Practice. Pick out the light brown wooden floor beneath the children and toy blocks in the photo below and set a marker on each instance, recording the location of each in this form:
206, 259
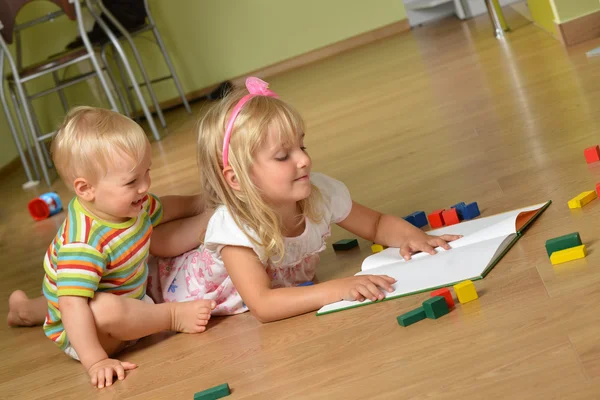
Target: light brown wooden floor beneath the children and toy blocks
443, 114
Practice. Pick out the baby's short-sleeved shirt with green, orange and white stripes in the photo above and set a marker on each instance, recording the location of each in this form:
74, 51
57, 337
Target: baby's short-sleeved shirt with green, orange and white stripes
89, 255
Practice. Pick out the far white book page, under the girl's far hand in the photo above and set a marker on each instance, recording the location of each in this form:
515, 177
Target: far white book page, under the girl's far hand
473, 231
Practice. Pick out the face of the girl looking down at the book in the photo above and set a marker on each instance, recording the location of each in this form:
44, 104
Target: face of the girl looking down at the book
282, 172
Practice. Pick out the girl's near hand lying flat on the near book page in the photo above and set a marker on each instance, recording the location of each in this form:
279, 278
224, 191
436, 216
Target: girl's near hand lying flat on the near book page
363, 287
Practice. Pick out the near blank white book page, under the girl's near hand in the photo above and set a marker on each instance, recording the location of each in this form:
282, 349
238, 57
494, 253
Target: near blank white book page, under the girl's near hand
445, 268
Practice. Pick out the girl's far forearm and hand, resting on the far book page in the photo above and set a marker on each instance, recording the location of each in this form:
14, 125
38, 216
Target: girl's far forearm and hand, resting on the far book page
392, 231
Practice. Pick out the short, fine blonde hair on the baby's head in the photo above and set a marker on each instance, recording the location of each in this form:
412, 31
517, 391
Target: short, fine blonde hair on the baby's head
89, 139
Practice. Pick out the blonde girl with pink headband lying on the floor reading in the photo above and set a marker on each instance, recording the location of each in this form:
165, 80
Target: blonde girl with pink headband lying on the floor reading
272, 217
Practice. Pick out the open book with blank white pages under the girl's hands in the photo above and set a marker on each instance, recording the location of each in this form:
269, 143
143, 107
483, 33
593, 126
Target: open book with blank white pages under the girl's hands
485, 241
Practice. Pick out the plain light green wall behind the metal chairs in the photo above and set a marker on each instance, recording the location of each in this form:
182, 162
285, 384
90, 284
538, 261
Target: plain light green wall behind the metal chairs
212, 41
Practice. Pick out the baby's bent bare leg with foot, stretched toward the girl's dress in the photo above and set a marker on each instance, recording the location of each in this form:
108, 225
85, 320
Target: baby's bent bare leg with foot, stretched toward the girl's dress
124, 319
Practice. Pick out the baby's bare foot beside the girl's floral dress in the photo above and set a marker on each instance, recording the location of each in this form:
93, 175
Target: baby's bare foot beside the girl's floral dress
191, 316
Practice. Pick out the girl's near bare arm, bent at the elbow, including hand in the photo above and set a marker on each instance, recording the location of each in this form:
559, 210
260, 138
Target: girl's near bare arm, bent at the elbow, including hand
266, 304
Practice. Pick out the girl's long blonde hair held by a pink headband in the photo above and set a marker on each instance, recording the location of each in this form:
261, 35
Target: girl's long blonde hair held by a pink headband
247, 207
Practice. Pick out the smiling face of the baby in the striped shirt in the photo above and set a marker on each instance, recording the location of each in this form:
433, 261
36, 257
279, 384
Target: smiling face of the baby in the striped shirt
118, 196
